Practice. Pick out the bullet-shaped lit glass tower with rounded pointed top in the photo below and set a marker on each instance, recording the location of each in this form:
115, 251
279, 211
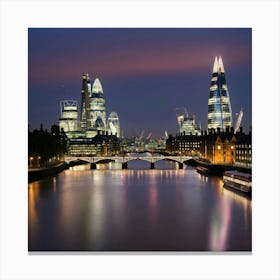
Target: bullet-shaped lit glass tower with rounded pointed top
97, 107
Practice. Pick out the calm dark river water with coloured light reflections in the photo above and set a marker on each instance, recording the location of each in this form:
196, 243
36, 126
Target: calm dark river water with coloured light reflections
138, 209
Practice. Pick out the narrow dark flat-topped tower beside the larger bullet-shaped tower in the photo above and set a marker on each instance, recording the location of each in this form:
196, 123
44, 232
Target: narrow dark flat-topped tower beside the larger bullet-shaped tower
85, 102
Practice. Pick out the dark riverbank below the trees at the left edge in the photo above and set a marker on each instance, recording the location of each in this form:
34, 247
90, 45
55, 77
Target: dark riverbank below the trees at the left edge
36, 174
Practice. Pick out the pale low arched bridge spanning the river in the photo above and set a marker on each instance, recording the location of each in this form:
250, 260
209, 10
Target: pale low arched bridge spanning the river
125, 159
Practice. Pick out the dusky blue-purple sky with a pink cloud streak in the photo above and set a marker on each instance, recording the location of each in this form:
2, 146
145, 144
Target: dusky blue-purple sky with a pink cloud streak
146, 73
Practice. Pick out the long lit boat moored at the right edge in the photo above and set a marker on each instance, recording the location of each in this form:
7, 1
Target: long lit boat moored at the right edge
238, 180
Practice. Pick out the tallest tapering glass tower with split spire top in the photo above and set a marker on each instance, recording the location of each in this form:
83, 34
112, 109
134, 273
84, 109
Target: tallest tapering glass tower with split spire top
219, 108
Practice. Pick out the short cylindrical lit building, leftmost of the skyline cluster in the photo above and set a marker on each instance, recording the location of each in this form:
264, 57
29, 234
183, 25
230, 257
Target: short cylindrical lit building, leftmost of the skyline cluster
69, 116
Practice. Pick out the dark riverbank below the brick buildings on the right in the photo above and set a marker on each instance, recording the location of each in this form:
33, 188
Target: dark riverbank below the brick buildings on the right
218, 169
